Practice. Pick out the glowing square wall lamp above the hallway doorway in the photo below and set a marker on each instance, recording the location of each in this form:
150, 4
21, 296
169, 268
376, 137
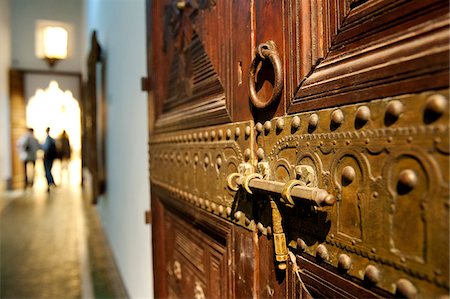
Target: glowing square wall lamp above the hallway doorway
52, 42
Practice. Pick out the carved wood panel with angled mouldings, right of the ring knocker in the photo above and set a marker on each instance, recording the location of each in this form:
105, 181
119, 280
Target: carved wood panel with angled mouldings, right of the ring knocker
350, 51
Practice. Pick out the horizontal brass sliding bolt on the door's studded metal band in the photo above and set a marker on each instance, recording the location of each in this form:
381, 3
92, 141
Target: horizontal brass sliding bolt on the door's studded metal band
288, 192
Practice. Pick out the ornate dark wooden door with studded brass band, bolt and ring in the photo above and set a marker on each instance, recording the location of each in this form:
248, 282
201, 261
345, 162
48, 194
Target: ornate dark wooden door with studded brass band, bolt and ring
299, 148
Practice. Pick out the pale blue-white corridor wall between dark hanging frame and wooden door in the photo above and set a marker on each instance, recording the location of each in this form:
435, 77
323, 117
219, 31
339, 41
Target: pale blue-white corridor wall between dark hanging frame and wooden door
120, 26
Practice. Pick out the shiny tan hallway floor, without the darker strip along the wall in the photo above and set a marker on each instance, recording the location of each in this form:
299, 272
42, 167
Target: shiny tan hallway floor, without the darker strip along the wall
42, 242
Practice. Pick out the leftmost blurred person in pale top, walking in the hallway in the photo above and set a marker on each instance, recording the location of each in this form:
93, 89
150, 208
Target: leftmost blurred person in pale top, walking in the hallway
28, 146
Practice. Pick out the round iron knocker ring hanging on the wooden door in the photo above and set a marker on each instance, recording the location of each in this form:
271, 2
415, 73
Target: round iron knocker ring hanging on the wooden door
262, 52
